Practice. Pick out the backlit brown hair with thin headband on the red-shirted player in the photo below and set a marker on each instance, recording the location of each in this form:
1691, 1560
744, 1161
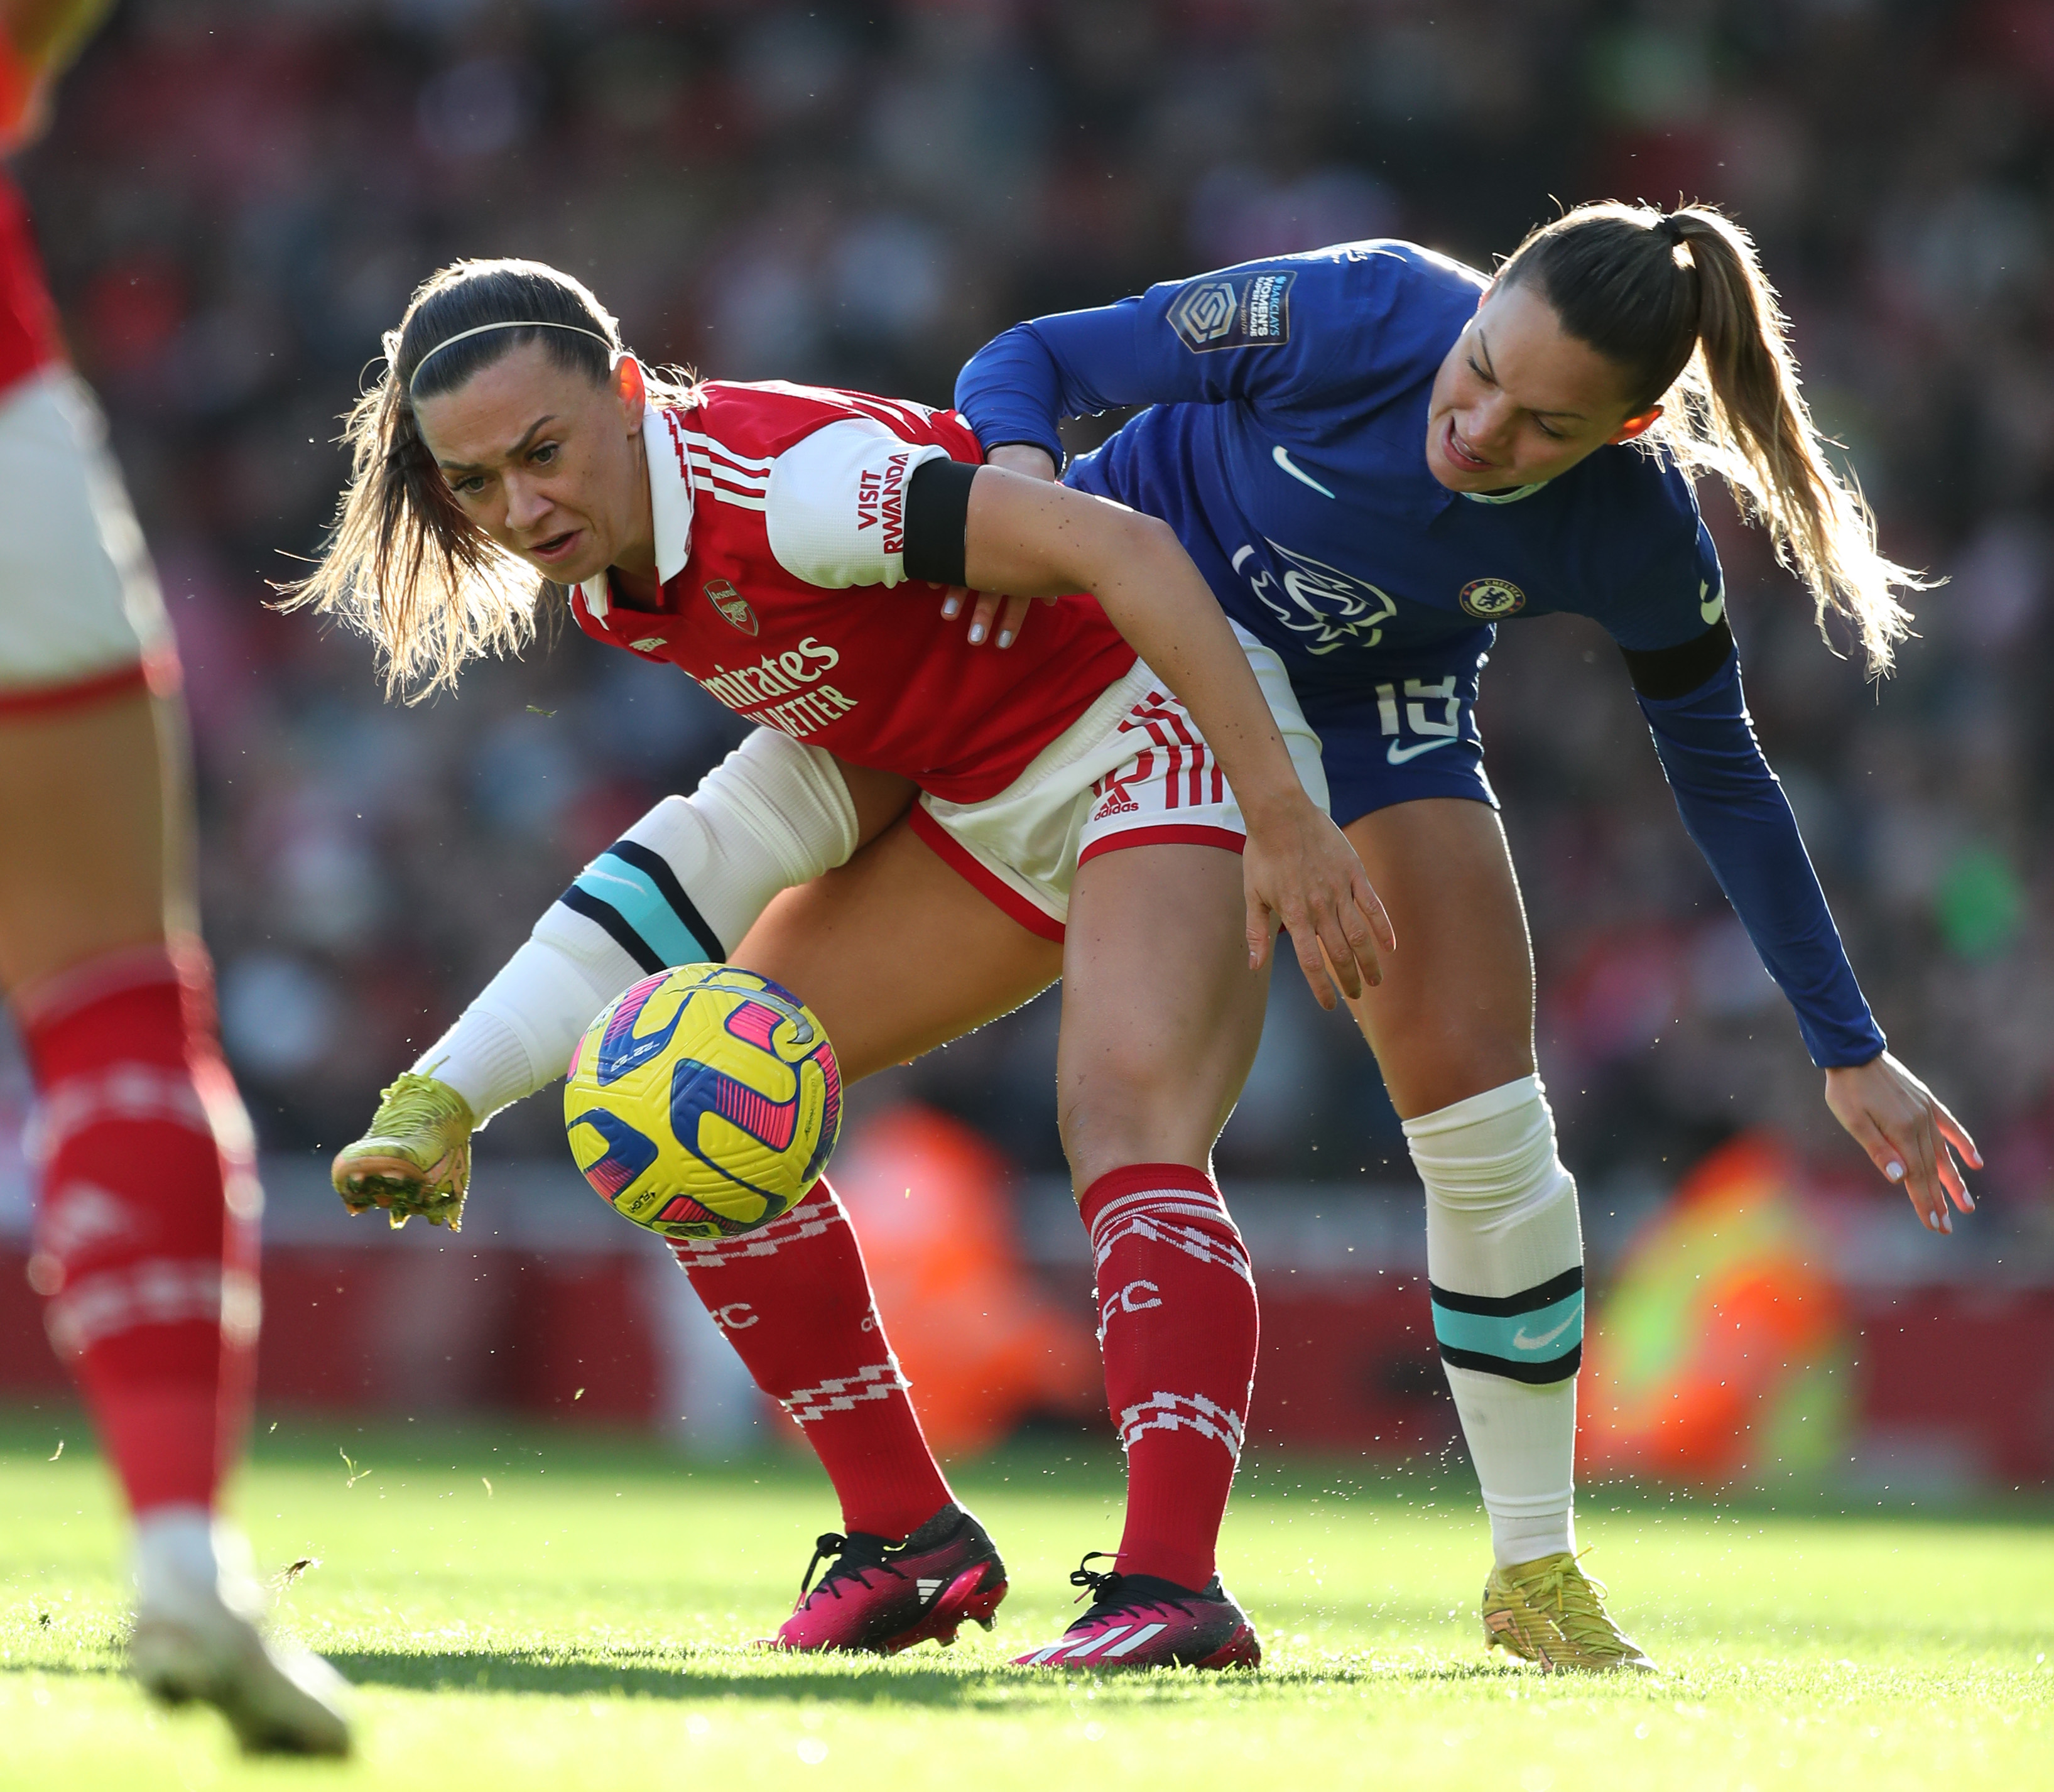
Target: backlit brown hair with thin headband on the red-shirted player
402, 562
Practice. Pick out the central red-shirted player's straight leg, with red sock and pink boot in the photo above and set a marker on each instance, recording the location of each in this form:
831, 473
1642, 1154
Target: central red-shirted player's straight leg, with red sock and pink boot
1159, 1026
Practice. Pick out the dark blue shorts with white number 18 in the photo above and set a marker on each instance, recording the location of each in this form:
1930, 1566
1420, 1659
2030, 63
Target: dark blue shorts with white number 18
1404, 731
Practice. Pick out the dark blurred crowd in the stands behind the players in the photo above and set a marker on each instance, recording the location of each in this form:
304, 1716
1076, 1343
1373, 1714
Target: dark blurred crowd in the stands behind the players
237, 198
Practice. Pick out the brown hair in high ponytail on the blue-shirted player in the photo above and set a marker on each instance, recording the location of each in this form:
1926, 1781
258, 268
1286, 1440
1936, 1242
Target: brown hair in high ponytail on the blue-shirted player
1683, 307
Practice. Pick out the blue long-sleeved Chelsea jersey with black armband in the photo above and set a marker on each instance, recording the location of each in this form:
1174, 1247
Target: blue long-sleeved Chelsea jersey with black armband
1285, 441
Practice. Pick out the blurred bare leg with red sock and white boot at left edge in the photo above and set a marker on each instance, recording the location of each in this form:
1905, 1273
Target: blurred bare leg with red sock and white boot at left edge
149, 1179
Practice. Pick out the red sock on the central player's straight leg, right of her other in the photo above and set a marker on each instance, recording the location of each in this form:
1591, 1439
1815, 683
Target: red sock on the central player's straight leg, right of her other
1178, 1333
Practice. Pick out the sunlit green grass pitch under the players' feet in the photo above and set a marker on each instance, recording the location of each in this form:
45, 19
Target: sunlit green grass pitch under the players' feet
584, 1620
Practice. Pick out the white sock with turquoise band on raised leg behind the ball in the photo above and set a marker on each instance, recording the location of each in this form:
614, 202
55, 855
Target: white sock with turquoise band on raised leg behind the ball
683, 885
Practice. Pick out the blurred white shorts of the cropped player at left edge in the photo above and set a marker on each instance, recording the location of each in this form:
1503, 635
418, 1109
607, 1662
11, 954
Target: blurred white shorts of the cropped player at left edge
81, 613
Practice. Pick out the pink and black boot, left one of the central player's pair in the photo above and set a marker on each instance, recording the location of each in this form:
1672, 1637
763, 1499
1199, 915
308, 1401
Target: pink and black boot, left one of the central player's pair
882, 1598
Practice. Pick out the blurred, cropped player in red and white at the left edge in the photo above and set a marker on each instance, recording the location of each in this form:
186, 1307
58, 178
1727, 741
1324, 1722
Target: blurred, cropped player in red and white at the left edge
147, 1218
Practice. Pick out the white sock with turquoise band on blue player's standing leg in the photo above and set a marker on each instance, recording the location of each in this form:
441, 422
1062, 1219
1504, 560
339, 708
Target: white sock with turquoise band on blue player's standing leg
1507, 1267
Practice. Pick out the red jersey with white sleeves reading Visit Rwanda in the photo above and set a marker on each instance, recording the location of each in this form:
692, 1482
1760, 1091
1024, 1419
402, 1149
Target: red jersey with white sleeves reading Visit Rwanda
773, 507
